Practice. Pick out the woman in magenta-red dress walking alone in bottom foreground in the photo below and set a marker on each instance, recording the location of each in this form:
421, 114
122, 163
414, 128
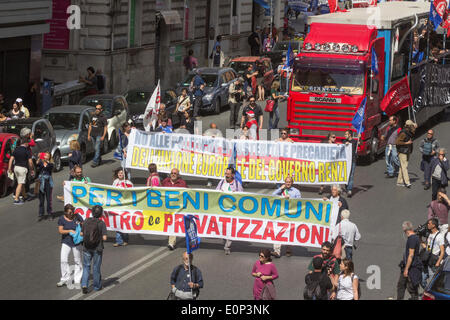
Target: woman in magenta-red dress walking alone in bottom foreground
264, 272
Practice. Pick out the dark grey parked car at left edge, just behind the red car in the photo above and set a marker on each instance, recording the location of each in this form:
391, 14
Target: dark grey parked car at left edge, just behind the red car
43, 135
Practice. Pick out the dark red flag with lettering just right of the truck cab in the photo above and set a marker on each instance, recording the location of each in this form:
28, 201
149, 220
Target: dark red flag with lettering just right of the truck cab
397, 98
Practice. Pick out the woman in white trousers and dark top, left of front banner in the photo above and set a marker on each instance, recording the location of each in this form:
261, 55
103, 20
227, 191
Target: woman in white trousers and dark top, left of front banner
67, 225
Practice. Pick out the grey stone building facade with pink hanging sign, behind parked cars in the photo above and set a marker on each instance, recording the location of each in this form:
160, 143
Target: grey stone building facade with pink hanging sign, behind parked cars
137, 42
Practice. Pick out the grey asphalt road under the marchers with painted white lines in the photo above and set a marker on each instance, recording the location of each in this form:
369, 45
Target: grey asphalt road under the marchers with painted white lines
30, 250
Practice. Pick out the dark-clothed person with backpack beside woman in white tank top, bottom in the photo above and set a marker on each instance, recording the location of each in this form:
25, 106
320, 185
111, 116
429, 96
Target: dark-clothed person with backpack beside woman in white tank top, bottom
317, 282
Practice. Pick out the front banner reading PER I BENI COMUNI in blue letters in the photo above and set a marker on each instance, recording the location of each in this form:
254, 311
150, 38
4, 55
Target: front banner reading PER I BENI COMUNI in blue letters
235, 216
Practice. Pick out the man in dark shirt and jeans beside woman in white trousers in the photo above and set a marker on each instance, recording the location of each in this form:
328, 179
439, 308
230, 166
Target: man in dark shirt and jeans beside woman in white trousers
94, 233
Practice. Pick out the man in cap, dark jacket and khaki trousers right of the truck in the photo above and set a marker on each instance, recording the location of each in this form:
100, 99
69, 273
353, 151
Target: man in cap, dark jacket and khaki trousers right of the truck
404, 148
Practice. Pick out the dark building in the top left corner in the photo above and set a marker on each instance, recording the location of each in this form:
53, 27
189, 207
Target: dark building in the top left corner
22, 25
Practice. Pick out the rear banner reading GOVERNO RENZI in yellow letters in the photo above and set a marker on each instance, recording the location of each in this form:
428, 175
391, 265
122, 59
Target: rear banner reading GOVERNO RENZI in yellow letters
256, 161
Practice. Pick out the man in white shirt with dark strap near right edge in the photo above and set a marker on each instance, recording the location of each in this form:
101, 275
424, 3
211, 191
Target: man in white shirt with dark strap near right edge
435, 244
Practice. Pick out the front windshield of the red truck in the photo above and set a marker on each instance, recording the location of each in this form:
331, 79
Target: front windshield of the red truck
326, 80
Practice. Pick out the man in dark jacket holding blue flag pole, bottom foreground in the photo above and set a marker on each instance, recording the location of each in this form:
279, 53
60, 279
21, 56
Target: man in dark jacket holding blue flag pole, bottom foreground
186, 280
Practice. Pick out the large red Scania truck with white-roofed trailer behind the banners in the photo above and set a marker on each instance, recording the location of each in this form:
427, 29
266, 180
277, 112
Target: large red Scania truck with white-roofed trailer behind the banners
332, 74
